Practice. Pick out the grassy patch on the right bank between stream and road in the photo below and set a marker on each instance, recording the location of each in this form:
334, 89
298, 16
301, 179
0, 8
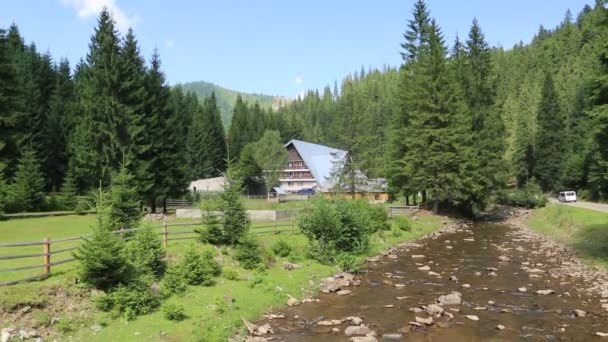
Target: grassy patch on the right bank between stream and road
584, 230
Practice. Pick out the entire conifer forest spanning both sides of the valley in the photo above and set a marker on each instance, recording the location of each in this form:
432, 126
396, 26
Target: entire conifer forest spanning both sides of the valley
458, 121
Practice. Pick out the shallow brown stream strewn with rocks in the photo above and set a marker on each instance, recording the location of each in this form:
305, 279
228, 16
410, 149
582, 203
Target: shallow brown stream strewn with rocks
512, 285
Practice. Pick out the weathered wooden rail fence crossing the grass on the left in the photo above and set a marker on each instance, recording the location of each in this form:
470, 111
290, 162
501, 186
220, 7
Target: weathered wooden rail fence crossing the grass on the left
167, 232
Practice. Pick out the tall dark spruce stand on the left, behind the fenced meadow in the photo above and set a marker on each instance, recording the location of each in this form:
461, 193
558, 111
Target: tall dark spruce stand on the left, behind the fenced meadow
66, 132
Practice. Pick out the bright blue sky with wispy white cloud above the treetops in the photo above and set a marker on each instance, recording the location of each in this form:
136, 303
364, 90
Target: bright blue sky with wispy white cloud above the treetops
277, 47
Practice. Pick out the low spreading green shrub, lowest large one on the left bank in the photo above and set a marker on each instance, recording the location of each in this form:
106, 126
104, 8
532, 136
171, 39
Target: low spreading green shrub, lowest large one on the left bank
134, 299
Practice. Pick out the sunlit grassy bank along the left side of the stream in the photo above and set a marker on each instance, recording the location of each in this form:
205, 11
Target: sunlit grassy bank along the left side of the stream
213, 313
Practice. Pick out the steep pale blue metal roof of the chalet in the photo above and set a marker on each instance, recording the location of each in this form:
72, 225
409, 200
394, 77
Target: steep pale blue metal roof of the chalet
320, 160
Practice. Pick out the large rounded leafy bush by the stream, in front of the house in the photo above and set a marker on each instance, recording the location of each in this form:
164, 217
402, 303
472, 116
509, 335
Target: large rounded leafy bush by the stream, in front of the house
338, 225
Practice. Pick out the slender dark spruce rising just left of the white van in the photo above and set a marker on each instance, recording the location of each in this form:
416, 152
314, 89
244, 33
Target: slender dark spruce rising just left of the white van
548, 149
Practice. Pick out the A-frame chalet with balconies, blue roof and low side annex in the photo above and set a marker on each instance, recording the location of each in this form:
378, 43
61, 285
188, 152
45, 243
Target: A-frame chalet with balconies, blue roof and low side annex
312, 168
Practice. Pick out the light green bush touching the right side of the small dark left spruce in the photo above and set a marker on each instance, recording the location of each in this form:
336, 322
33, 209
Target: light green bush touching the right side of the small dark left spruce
146, 253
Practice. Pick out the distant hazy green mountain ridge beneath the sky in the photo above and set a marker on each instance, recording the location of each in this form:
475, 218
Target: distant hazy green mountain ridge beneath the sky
227, 97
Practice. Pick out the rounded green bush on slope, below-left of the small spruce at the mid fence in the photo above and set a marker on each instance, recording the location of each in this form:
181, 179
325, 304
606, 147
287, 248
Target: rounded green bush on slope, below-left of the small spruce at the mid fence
199, 267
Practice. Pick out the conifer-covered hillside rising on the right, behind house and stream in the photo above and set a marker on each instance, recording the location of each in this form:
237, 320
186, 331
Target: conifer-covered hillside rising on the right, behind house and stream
463, 120
